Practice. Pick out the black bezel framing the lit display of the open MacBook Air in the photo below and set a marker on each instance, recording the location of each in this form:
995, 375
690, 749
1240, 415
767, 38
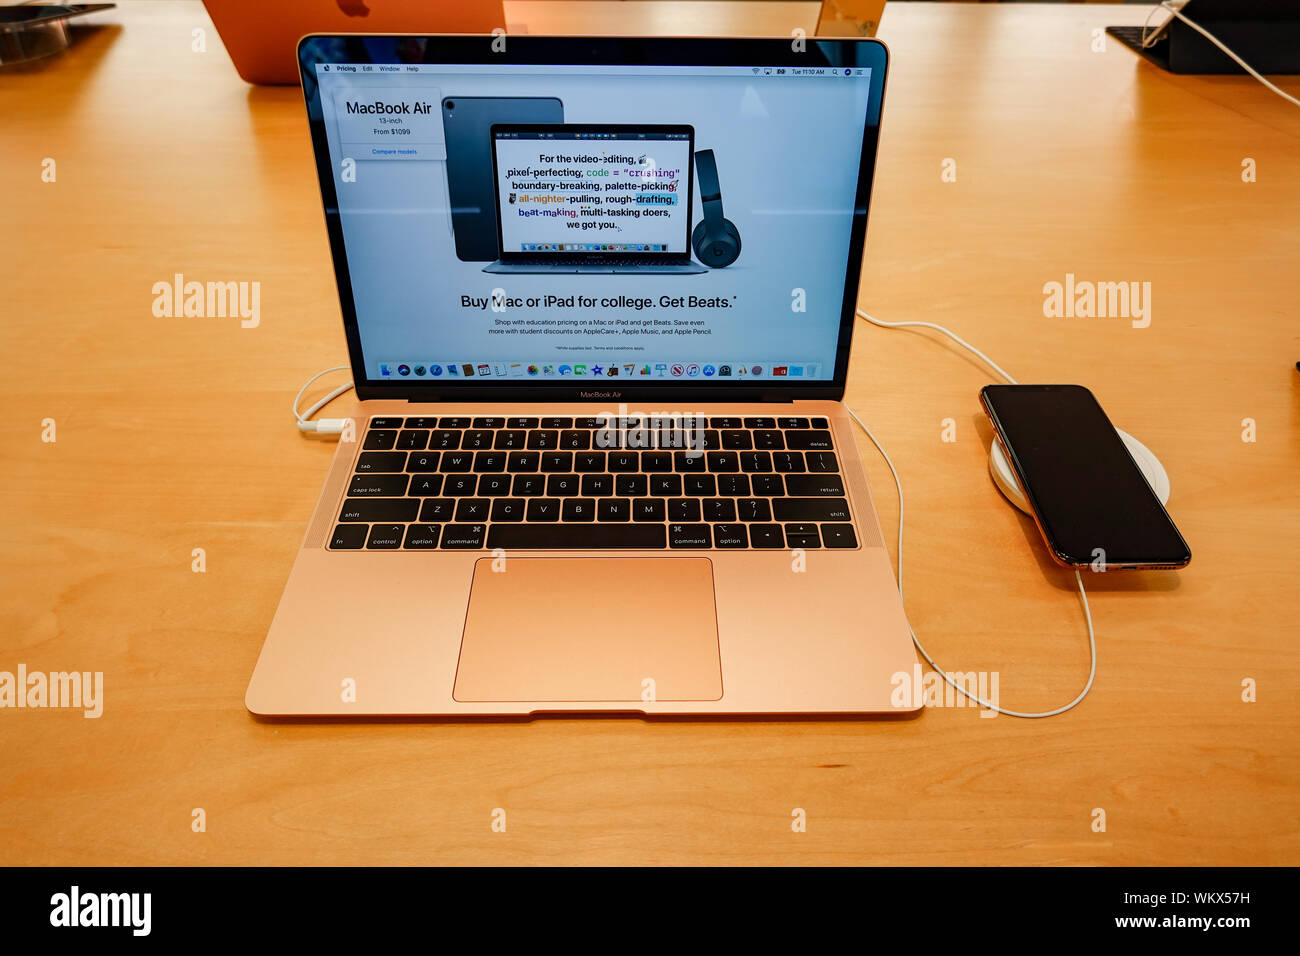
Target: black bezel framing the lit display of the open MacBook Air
629, 51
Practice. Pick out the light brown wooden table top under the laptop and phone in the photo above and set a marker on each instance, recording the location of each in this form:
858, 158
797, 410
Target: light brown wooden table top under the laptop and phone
175, 435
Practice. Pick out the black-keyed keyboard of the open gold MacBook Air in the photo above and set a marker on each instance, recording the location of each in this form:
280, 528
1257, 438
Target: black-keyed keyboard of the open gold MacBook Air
460, 483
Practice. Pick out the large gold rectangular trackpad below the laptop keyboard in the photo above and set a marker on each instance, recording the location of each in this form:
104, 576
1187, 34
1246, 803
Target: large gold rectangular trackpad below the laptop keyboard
591, 630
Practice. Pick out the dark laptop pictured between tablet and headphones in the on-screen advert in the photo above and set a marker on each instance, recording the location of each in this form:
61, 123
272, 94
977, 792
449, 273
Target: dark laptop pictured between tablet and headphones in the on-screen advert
593, 200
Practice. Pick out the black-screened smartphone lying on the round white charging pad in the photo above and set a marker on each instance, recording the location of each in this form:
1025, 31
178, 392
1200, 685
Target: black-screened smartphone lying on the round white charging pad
1091, 501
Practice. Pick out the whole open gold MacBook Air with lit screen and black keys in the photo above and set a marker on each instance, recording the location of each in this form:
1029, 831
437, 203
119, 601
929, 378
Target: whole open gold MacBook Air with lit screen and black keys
603, 488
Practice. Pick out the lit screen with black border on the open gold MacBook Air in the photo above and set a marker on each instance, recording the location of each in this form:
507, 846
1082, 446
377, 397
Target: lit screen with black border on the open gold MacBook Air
593, 226
